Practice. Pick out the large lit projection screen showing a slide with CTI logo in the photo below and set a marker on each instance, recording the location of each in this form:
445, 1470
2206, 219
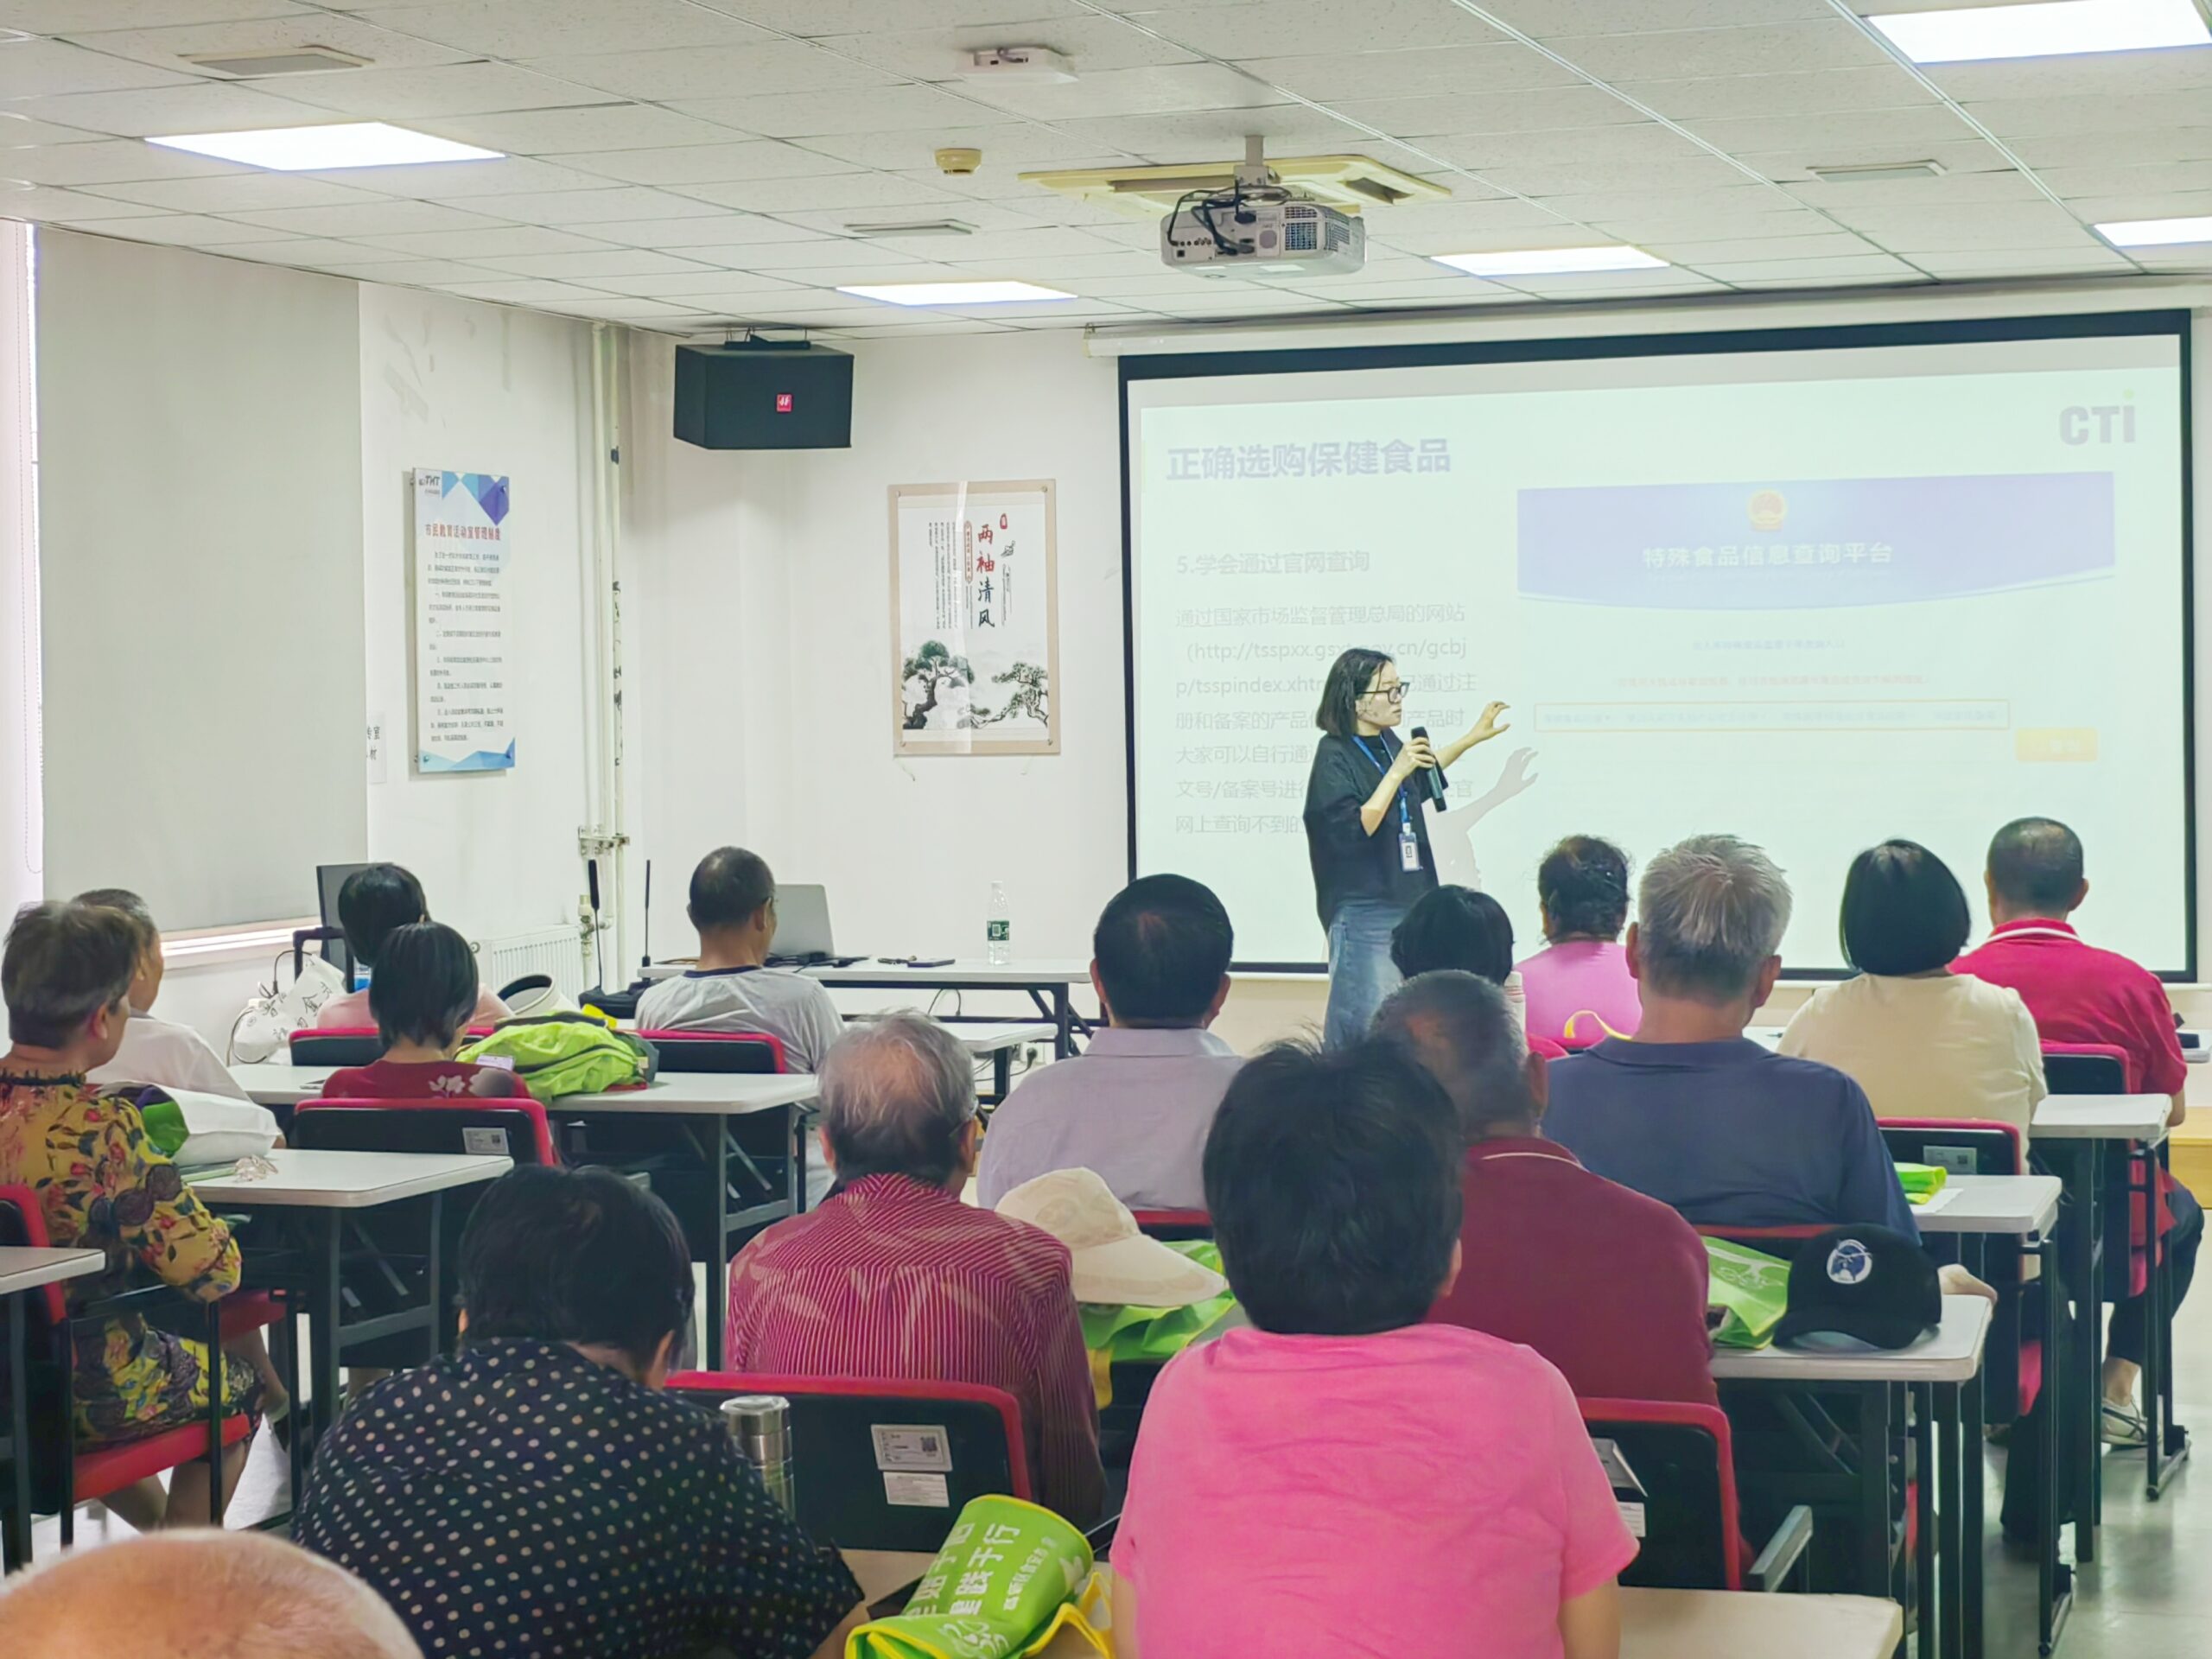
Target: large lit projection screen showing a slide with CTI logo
1811, 587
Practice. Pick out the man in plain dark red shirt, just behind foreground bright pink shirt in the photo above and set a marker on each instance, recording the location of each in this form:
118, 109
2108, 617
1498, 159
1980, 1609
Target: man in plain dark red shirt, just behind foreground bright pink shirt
1603, 1282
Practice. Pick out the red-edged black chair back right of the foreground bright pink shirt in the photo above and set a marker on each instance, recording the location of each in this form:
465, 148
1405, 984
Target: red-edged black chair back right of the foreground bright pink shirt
1687, 1461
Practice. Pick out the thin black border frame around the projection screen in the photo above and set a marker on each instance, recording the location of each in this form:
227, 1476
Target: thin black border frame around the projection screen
1193, 366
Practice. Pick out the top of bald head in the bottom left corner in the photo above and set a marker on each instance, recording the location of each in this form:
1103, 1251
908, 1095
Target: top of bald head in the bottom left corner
200, 1596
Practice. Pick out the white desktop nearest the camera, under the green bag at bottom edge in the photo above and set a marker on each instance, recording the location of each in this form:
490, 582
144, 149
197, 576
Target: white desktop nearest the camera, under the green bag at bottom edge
1656, 1625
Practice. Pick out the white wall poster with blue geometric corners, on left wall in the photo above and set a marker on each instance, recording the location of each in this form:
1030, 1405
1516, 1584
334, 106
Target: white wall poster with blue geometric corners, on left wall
461, 572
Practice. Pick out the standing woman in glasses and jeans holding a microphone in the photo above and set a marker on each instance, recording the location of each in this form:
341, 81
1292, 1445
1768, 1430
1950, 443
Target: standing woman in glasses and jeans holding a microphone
1366, 833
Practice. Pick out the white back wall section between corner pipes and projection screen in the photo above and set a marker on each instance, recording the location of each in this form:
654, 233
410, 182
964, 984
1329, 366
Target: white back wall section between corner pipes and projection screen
766, 718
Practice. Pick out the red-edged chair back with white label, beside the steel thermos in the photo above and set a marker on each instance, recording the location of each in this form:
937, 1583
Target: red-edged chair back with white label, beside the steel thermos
946, 1443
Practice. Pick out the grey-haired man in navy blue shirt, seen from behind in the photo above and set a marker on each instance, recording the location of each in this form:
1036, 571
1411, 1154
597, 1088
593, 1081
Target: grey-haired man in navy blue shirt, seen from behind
1695, 1114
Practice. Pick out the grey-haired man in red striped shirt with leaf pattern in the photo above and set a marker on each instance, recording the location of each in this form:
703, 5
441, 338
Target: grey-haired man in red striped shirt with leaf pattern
895, 1277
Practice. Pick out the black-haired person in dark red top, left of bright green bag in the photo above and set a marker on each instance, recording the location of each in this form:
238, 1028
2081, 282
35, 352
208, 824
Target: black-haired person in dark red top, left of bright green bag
424, 997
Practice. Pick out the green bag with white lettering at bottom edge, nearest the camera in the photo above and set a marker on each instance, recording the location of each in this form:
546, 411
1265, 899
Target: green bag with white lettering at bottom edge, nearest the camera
1010, 1578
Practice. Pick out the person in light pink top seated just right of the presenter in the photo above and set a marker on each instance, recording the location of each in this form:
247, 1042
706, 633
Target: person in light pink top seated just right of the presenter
1583, 890
